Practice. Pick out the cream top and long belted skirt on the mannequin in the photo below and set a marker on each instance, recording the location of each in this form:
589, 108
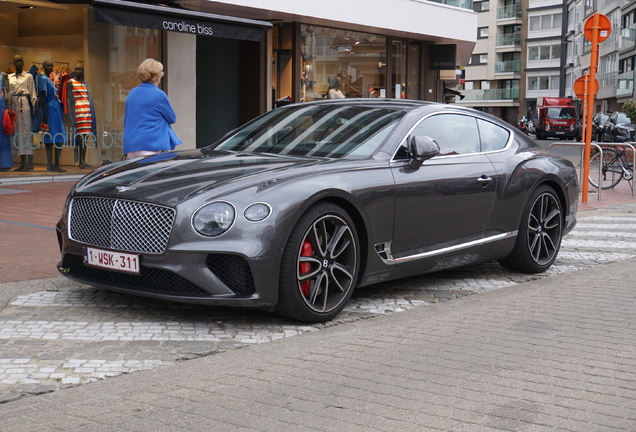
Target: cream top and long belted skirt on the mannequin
23, 100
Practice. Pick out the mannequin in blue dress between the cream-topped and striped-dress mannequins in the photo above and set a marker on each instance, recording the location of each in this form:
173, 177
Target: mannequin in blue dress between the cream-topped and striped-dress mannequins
53, 126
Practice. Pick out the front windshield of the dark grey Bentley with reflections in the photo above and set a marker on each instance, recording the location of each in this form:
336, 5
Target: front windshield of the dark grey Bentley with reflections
331, 131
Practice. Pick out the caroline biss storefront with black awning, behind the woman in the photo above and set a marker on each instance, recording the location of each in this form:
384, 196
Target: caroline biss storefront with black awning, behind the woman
110, 39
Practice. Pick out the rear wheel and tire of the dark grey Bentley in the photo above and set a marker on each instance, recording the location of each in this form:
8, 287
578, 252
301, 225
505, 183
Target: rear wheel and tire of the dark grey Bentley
539, 237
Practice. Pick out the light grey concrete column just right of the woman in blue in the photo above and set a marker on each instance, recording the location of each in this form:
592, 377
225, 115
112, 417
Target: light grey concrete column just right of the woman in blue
180, 71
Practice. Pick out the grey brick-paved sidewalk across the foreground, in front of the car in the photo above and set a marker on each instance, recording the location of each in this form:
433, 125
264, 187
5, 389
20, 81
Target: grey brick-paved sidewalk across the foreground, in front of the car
556, 354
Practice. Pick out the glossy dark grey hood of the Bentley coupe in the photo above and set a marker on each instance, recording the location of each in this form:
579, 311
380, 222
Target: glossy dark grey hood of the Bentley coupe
173, 177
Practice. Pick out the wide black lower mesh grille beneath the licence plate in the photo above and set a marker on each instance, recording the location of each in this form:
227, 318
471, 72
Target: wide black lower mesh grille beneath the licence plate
149, 280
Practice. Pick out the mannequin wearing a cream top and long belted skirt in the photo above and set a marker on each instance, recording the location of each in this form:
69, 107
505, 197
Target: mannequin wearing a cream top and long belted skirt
22, 100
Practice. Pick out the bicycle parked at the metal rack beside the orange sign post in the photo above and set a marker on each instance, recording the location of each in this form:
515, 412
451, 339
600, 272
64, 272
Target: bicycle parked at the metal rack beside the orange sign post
616, 167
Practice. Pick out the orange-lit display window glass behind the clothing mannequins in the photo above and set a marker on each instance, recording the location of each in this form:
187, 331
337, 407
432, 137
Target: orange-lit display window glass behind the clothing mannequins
114, 54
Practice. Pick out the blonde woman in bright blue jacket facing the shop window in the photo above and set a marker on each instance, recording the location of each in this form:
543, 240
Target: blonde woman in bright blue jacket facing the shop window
148, 115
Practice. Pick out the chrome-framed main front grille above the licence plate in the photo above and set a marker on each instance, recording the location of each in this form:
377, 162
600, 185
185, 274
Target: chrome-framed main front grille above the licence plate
129, 226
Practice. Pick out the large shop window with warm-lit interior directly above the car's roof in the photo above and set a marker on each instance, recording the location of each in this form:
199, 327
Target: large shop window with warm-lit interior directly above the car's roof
341, 63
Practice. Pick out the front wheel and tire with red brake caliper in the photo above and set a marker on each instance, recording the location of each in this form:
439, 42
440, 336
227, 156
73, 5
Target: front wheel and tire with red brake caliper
320, 265
